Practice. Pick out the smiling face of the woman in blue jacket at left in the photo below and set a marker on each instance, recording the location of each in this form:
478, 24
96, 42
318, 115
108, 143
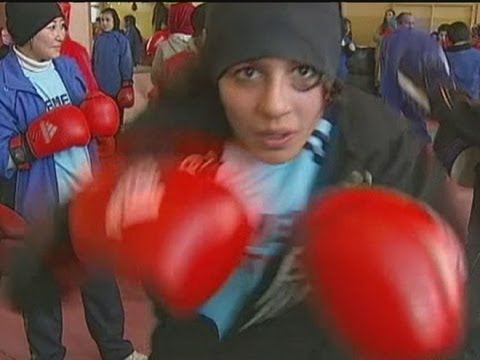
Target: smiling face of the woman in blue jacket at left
46, 44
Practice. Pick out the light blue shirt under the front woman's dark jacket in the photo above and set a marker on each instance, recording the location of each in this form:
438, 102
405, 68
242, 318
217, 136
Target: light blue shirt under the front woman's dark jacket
273, 194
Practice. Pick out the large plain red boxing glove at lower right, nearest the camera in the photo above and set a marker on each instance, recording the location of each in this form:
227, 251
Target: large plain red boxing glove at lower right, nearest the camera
387, 274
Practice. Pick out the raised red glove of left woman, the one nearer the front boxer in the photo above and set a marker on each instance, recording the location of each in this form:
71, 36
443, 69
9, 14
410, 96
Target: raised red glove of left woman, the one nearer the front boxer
102, 114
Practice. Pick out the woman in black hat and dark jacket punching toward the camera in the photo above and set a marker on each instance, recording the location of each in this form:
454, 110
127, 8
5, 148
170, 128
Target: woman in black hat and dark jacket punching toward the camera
274, 66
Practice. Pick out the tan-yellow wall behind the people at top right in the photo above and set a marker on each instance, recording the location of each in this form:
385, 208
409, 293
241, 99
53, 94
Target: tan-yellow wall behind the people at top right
366, 17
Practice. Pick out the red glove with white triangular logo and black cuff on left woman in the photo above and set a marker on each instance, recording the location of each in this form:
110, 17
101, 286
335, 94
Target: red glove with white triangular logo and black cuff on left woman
54, 131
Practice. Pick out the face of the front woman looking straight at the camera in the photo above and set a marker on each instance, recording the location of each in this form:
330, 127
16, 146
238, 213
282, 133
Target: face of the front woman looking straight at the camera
273, 105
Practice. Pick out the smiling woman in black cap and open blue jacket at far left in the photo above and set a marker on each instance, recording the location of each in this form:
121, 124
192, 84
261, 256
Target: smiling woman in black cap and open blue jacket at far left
37, 88
